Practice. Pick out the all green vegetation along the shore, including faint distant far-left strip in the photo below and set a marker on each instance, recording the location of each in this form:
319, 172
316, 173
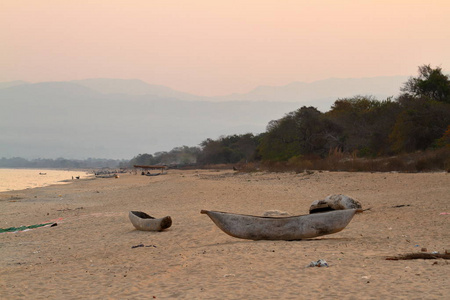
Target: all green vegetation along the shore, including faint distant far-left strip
409, 133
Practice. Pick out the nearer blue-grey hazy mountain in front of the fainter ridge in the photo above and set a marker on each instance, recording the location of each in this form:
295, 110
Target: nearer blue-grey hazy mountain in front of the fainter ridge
63, 119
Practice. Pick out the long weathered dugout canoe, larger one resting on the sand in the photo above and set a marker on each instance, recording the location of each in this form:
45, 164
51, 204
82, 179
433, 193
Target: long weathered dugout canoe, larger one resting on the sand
281, 228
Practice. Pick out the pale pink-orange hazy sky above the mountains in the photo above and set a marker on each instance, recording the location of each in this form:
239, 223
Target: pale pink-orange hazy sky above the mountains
216, 47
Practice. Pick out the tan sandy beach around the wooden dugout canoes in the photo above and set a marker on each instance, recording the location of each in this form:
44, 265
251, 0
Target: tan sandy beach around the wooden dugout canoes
89, 254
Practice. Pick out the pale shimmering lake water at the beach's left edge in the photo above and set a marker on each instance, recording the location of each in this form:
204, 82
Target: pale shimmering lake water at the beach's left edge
20, 179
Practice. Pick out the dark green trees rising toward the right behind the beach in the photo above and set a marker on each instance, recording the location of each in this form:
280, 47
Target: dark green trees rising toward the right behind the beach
361, 126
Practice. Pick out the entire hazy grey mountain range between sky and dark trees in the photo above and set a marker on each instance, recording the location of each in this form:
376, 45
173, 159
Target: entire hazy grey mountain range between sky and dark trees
120, 118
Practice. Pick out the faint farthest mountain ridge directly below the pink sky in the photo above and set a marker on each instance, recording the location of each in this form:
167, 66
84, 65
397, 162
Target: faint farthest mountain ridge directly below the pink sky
320, 94
